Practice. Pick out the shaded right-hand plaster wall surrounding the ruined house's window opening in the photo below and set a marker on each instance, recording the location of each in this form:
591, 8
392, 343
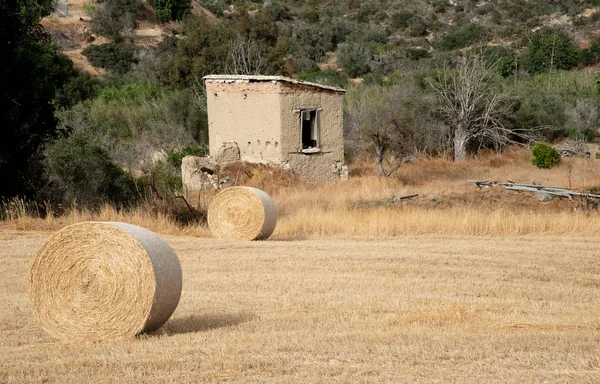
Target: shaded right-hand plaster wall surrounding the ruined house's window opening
323, 165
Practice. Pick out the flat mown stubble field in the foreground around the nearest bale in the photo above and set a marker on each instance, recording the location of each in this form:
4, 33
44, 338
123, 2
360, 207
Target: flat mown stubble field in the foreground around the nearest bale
406, 309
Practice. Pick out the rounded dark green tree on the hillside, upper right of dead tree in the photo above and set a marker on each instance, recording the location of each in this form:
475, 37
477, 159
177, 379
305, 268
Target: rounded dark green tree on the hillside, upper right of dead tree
551, 49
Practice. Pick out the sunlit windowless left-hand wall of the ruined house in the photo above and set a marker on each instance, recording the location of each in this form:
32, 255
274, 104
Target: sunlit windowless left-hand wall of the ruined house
247, 113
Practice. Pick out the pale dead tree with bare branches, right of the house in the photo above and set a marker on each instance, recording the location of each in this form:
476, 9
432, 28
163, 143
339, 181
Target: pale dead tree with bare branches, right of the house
472, 105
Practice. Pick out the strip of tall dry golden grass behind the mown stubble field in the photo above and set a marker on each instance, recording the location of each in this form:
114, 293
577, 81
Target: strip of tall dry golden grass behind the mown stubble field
308, 210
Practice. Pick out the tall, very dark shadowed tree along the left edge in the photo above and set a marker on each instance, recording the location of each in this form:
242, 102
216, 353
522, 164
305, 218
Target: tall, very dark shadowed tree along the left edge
31, 72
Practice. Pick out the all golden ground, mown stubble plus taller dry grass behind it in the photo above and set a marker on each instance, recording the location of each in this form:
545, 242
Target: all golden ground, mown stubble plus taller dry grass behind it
479, 286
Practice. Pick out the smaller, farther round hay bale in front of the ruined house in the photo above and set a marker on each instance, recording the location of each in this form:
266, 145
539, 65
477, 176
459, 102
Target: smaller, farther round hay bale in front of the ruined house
242, 213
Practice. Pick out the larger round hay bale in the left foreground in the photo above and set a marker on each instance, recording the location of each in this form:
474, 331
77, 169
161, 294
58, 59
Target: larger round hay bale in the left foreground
103, 281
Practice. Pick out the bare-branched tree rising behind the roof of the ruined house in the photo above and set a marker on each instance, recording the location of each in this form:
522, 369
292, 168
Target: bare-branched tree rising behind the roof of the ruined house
246, 57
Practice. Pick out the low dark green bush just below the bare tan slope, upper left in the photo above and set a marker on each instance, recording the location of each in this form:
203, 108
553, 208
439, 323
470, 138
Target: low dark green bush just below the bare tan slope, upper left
117, 58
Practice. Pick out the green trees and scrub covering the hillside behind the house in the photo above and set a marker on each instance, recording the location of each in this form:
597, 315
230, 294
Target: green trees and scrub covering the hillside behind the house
522, 69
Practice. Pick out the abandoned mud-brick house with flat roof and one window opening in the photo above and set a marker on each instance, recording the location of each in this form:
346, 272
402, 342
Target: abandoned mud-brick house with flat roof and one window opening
279, 121
